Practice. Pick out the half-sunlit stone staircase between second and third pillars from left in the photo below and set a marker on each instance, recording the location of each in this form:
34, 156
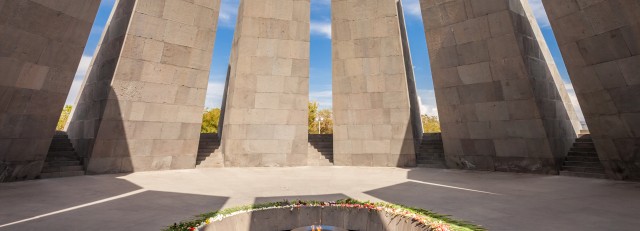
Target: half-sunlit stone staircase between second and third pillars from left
209, 154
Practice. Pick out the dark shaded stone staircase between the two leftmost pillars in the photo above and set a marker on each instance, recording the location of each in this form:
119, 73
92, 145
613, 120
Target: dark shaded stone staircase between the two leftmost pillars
62, 159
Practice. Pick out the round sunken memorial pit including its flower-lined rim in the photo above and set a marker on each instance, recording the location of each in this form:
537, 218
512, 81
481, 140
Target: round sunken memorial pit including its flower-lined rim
341, 215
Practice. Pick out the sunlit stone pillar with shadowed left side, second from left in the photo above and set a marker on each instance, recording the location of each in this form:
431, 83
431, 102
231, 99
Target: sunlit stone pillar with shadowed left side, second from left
142, 100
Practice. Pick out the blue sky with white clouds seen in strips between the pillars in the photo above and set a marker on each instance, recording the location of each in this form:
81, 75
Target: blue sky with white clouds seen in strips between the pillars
320, 69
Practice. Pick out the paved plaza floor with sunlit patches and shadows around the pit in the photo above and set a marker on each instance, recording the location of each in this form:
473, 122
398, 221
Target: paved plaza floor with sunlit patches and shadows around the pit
153, 200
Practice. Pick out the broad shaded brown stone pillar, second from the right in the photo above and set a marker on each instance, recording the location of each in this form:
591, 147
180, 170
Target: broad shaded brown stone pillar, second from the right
501, 101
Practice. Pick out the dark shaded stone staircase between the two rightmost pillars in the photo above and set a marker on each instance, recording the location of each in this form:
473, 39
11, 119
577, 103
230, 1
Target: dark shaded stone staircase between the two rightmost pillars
582, 160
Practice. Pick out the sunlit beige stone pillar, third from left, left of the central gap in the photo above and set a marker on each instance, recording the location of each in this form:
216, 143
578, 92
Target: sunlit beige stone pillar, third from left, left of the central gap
265, 116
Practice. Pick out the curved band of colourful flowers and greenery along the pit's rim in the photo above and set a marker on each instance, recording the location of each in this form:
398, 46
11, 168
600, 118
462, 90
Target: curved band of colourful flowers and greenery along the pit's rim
433, 221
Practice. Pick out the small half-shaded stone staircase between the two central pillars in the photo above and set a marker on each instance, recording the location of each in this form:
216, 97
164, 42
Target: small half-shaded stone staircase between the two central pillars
320, 151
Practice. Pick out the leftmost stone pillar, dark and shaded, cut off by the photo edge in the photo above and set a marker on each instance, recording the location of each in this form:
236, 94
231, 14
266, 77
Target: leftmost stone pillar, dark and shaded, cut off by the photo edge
41, 43
